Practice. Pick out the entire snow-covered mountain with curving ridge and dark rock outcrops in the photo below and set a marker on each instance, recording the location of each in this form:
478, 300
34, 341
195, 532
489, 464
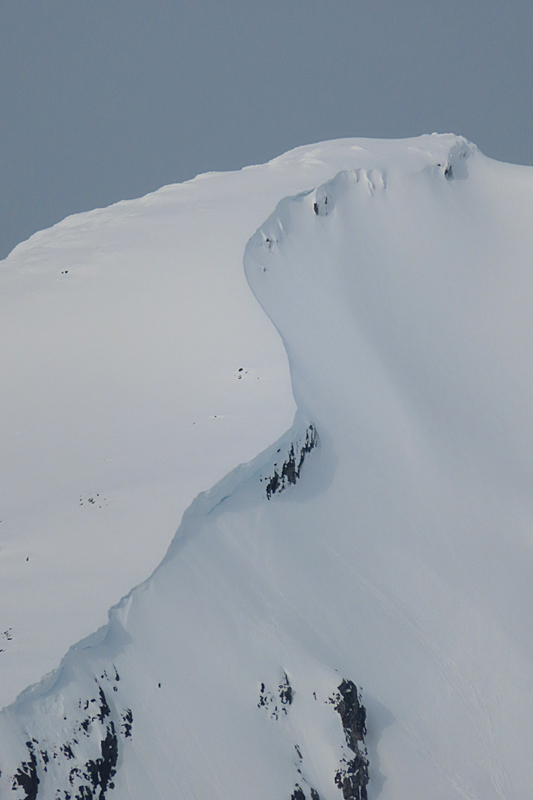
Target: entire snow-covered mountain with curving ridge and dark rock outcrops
348, 613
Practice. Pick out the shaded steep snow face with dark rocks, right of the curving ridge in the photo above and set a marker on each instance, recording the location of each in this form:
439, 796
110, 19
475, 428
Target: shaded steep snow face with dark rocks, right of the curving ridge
376, 557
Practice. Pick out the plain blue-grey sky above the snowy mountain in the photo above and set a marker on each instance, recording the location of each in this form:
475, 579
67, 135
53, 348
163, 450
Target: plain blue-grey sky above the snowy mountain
102, 100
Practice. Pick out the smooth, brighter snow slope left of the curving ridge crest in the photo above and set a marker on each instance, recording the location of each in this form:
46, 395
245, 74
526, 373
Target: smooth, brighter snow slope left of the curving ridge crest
137, 370
